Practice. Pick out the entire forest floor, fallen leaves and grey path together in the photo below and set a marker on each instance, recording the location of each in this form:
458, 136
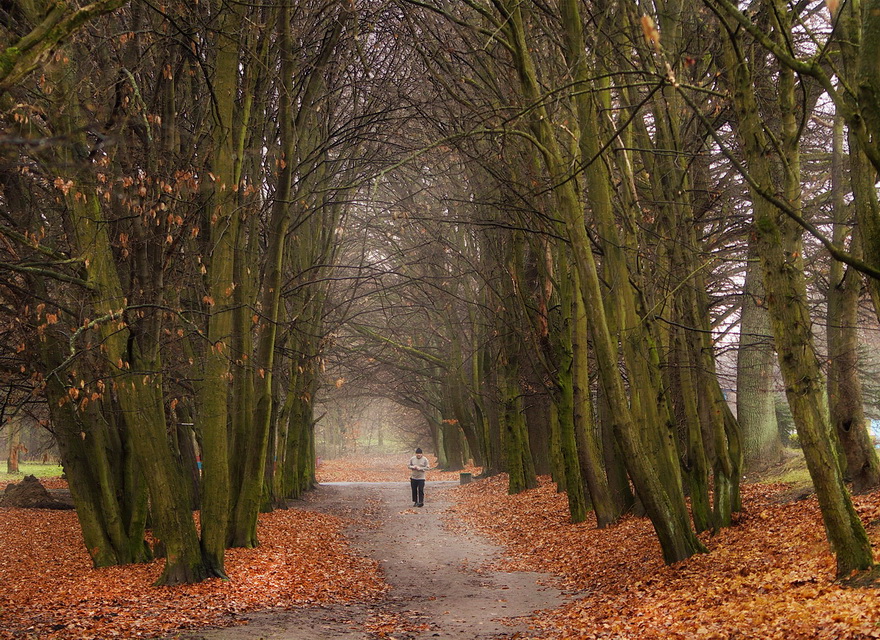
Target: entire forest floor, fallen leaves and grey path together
357, 561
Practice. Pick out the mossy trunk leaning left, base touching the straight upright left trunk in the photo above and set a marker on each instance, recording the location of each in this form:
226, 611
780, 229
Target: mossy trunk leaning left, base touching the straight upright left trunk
129, 342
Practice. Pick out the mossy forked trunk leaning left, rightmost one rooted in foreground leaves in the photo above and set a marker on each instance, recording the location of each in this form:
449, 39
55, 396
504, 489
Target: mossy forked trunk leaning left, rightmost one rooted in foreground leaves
780, 248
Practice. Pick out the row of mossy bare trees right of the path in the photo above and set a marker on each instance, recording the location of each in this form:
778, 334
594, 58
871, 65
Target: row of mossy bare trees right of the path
676, 132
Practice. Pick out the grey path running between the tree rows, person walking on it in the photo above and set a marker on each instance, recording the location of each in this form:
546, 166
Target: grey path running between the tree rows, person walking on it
440, 584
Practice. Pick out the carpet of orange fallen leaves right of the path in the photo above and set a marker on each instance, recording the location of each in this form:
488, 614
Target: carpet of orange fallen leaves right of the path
770, 576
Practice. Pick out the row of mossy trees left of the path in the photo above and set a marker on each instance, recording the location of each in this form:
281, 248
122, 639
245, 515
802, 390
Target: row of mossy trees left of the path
173, 183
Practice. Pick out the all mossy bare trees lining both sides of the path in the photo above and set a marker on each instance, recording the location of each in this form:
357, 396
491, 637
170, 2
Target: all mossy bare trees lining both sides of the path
526, 221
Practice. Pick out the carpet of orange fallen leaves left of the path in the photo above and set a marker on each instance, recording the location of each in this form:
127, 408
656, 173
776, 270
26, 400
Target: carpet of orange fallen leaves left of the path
49, 590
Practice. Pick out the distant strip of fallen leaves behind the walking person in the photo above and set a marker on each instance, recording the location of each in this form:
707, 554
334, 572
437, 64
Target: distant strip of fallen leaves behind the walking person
384, 468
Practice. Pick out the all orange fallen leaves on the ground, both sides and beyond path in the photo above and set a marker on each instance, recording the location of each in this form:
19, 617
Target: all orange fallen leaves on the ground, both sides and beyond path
770, 576
